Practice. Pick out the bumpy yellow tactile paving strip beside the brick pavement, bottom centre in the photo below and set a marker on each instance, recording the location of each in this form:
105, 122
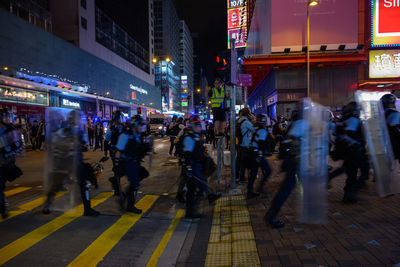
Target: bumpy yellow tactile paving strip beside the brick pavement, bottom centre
232, 241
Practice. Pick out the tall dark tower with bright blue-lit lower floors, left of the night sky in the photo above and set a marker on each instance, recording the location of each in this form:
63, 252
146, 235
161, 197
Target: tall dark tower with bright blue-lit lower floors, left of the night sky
166, 51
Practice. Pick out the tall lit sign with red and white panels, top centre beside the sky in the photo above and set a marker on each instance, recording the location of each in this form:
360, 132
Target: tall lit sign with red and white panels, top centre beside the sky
237, 22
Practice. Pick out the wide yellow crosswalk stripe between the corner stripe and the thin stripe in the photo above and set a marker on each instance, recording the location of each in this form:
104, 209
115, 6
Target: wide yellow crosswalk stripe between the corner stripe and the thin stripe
95, 253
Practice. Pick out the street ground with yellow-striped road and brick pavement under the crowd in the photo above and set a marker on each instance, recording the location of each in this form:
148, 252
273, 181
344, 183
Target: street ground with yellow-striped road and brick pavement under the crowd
230, 234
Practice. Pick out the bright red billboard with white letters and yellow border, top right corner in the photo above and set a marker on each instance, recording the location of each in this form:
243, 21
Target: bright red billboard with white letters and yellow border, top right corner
385, 23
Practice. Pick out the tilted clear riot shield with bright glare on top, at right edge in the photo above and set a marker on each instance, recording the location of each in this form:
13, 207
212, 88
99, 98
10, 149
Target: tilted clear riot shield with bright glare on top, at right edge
378, 142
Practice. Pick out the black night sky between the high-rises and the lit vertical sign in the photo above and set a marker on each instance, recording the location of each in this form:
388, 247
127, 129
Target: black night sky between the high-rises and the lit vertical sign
208, 18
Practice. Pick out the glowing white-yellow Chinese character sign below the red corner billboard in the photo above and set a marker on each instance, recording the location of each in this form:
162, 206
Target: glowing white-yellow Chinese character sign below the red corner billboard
384, 64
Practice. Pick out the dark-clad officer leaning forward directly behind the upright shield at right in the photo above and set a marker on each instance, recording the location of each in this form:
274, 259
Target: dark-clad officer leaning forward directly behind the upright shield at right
290, 165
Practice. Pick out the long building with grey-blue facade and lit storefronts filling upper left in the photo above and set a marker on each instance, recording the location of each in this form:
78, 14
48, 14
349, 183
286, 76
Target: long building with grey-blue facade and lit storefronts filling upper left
91, 55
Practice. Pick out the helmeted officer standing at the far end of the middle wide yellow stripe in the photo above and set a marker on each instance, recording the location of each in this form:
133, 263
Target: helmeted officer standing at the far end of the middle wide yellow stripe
131, 149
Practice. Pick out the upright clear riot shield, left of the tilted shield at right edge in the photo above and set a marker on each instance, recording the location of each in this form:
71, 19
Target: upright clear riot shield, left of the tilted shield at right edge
313, 164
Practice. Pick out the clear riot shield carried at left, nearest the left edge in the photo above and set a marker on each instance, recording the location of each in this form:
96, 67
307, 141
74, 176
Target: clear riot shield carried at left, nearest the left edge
62, 142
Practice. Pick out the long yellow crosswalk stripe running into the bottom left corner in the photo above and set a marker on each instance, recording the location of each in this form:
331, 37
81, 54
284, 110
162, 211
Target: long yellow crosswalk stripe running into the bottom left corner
20, 245
